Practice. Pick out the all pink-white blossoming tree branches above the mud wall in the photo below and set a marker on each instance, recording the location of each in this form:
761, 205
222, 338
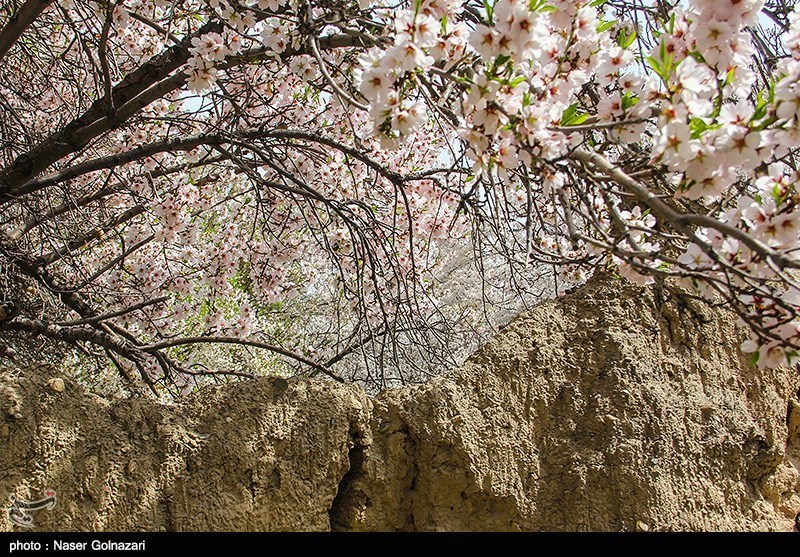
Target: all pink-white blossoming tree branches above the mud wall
173, 173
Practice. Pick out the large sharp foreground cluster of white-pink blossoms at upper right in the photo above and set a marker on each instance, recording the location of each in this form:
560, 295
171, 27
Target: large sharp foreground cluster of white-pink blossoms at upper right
695, 101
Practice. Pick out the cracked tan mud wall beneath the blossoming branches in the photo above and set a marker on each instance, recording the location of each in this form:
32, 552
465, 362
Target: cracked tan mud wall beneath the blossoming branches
608, 409
